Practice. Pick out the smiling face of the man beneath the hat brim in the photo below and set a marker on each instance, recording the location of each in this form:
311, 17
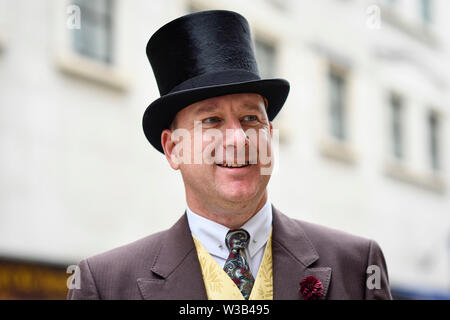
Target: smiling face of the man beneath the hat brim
219, 154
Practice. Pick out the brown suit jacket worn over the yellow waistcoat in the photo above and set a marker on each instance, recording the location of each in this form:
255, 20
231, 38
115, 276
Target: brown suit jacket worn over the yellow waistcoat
165, 265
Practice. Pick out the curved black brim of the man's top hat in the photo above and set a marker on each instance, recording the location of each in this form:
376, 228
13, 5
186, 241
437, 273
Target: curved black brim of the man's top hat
160, 113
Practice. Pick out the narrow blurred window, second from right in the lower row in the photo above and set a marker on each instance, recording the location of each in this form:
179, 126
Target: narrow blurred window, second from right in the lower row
396, 106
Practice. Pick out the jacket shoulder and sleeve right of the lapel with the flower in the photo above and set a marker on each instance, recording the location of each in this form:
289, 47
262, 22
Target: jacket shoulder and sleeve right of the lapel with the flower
351, 258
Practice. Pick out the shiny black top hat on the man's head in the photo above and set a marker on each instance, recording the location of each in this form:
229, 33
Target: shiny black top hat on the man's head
200, 56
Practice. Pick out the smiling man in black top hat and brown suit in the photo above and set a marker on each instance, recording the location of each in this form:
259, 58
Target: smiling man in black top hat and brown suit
213, 123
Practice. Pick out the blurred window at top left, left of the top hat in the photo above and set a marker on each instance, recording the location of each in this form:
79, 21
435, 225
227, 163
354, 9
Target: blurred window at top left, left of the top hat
94, 38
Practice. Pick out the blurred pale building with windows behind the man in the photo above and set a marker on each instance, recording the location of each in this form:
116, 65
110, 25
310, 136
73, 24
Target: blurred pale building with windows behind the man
364, 135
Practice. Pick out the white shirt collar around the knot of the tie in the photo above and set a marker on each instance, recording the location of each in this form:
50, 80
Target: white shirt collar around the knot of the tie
212, 234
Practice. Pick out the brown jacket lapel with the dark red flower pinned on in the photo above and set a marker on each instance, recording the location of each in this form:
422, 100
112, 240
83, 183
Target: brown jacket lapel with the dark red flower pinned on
293, 254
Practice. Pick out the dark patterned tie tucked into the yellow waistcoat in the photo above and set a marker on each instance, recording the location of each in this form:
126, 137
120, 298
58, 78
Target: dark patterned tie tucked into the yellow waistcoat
236, 265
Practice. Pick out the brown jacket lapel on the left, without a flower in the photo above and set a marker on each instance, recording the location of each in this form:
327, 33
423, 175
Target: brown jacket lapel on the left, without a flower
176, 272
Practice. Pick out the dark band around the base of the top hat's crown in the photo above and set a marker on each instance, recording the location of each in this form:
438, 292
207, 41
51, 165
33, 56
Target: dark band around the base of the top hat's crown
215, 79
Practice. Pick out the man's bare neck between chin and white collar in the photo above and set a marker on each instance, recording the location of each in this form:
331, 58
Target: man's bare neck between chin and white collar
233, 215
